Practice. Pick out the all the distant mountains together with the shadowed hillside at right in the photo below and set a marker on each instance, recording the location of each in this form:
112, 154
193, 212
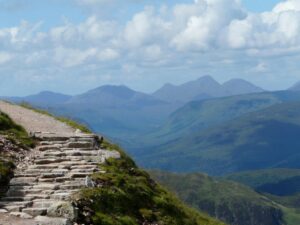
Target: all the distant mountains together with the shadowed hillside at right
218, 135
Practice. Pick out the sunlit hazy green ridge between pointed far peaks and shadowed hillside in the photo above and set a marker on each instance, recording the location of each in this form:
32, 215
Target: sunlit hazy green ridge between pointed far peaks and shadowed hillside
199, 115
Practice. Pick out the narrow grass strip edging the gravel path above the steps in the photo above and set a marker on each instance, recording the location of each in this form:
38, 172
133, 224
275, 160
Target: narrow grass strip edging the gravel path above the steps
65, 120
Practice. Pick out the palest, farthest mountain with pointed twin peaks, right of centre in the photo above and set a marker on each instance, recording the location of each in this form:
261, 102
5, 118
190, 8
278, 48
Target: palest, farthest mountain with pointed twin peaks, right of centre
204, 88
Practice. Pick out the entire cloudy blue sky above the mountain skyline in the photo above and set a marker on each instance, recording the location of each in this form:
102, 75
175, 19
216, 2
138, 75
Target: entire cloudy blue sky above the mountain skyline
71, 46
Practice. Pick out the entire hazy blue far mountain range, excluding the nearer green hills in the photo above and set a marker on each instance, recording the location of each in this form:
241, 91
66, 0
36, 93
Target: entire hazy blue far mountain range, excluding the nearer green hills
120, 112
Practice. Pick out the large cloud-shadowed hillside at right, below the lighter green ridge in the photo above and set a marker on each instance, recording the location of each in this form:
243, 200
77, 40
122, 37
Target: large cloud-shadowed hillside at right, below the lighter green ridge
265, 139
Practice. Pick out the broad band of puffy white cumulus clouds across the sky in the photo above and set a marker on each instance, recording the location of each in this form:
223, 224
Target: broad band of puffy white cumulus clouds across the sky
181, 35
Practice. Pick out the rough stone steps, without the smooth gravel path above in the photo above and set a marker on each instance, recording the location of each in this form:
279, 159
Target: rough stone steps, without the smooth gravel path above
57, 168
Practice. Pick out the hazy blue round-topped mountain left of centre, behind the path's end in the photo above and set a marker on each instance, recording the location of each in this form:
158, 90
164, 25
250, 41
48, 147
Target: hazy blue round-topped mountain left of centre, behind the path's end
117, 111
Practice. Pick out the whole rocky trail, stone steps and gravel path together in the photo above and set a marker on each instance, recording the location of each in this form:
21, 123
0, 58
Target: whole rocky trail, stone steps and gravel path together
59, 166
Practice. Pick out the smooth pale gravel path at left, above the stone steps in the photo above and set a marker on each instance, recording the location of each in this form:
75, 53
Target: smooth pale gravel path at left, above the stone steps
33, 121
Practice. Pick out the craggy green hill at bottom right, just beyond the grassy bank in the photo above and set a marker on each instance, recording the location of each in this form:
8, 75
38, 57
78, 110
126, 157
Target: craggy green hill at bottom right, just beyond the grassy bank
232, 202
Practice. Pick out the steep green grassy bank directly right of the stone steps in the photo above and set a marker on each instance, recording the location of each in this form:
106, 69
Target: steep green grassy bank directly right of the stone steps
127, 195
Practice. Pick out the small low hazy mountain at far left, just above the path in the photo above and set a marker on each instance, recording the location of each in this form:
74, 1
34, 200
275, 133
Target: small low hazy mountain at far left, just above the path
44, 98
